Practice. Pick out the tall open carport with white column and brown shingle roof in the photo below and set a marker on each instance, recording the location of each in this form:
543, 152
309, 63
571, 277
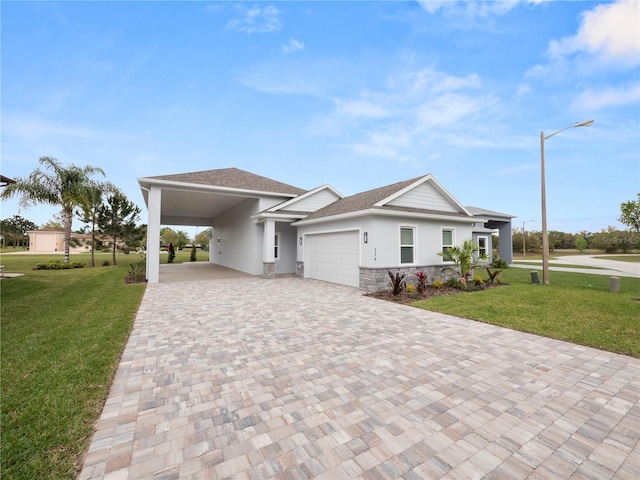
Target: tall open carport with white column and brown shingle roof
229, 197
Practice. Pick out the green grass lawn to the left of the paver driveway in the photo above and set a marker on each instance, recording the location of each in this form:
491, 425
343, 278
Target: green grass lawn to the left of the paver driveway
62, 334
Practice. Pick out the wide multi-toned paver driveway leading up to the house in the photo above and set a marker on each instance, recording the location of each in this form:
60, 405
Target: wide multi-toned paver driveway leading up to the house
292, 378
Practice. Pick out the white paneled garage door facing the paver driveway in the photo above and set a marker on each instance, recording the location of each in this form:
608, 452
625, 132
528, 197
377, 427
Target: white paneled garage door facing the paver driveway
333, 257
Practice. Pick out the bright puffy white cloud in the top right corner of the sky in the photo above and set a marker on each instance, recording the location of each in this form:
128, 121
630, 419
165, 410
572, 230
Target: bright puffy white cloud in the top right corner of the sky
610, 31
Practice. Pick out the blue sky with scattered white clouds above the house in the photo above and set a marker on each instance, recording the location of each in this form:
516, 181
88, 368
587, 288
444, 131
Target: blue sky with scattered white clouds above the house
354, 94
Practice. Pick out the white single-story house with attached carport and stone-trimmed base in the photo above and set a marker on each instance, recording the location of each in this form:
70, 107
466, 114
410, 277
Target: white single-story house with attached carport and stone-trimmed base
265, 227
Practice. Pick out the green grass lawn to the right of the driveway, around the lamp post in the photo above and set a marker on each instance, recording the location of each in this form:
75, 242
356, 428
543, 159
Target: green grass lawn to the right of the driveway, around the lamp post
574, 307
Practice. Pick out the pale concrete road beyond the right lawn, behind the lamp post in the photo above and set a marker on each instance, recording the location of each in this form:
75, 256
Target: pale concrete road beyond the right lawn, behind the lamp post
595, 266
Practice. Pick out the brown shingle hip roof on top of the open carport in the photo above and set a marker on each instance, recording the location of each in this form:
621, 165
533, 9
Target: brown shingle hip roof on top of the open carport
232, 178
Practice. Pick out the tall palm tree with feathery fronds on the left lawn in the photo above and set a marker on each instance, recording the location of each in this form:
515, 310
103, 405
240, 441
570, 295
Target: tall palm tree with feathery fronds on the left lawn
61, 186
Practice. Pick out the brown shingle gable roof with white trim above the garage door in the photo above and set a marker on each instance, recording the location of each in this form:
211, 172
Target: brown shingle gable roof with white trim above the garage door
380, 199
